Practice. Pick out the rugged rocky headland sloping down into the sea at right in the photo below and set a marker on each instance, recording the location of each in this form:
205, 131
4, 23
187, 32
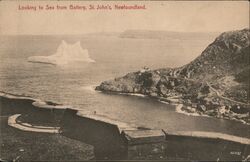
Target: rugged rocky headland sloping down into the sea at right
215, 83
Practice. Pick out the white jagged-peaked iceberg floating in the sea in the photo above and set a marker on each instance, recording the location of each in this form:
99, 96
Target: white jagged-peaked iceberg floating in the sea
65, 53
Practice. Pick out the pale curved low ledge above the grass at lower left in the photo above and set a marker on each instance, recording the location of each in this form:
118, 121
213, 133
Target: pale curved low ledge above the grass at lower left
28, 127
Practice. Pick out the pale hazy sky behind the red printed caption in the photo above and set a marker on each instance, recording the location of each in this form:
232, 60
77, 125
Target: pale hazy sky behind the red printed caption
180, 16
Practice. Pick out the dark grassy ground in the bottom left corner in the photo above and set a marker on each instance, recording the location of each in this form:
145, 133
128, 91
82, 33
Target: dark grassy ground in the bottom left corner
27, 146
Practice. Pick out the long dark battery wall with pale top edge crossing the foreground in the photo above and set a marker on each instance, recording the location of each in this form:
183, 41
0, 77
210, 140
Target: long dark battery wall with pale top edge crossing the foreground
115, 140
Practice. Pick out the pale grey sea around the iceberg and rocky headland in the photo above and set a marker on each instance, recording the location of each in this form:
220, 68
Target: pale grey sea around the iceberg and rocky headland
73, 84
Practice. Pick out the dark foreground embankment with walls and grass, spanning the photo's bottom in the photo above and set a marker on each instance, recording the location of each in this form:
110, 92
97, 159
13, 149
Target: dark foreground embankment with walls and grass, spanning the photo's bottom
111, 139
